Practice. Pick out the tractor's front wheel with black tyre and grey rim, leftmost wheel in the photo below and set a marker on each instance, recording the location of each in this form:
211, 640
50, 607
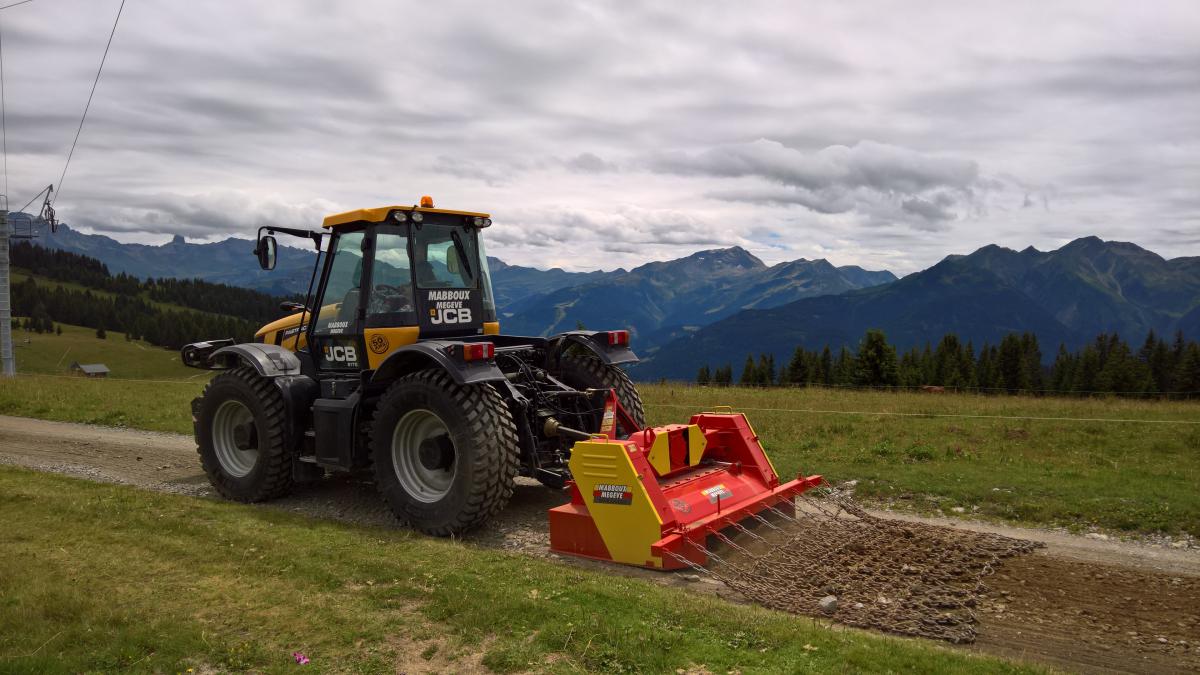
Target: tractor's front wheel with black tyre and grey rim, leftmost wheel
241, 438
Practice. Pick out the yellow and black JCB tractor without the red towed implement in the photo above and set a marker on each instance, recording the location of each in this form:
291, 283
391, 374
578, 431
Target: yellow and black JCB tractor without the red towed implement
397, 366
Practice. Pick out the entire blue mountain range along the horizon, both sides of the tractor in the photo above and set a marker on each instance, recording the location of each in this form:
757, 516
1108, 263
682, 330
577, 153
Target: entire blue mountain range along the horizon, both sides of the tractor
716, 307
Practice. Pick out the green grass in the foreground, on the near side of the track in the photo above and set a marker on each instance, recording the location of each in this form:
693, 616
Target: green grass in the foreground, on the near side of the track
106, 578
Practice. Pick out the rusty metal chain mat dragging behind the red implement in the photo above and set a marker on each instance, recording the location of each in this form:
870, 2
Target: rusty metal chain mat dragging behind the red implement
904, 578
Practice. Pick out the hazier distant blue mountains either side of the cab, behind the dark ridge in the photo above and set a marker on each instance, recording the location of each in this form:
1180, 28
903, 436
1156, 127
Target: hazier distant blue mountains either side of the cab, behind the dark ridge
657, 302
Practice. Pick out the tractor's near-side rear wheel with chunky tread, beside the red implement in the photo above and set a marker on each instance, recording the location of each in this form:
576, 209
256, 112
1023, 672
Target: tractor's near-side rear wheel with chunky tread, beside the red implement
446, 456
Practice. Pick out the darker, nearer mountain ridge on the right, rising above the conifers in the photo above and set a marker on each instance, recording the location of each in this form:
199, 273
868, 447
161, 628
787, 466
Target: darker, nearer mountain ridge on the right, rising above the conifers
1067, 296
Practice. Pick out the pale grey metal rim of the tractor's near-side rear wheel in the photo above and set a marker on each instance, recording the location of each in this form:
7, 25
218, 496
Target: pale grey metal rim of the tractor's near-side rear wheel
424, 456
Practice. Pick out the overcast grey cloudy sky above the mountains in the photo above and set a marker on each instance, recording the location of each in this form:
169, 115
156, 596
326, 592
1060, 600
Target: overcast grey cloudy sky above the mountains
605, 135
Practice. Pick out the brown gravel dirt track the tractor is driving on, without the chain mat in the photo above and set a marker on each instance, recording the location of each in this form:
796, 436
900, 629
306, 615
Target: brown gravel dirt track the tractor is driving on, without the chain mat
1078, 604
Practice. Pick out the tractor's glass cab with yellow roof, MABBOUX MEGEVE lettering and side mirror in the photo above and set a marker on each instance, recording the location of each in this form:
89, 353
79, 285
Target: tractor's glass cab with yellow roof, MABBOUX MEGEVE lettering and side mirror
392, 276
